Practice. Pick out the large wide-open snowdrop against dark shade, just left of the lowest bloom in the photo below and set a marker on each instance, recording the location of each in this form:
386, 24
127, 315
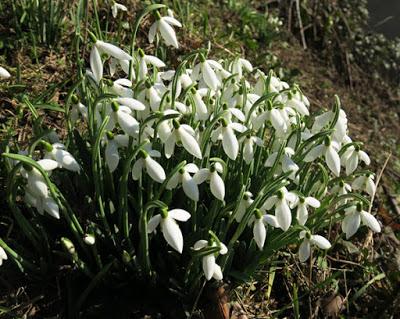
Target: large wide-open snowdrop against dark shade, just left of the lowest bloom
169, 227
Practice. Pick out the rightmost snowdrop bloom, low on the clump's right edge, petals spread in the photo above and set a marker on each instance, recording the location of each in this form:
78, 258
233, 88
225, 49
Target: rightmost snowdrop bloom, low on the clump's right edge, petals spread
354, 216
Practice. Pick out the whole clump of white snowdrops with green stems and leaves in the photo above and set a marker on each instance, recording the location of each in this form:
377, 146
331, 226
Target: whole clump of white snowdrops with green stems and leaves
183, 175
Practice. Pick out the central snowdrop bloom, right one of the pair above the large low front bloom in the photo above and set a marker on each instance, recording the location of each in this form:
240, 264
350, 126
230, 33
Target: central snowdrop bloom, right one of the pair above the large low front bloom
217, 185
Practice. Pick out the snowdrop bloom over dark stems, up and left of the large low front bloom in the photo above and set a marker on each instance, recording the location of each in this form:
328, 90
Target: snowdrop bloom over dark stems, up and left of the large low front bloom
146, 161
